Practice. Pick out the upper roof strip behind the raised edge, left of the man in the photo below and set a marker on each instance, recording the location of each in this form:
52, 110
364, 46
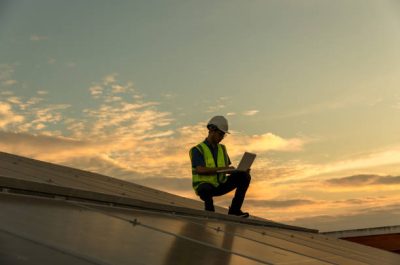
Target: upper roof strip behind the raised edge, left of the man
23, 168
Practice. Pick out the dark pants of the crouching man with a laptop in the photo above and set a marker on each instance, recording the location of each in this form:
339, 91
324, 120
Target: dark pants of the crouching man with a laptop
238, 180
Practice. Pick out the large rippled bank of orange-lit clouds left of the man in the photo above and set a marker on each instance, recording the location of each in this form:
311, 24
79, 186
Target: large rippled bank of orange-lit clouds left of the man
129, 134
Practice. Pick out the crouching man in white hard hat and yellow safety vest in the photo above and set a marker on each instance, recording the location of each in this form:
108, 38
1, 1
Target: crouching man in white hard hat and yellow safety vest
210, 156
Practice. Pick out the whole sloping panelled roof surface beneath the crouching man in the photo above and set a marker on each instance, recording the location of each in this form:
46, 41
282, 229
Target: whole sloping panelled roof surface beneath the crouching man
44, 223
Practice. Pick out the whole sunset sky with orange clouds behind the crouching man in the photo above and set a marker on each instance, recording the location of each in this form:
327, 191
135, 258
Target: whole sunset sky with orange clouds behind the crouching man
126, 88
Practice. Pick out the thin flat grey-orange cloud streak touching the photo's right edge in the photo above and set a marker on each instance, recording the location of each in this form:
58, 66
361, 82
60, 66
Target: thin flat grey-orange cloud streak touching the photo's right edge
363, 180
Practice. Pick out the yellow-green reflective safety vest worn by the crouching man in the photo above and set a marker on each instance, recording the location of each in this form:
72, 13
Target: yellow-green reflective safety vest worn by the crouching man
222, 161
